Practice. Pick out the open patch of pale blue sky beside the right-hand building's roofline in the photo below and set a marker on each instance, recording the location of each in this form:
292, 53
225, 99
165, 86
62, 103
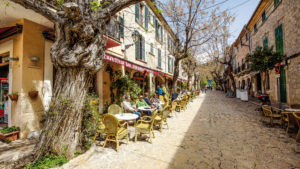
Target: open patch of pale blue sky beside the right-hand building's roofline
242, 10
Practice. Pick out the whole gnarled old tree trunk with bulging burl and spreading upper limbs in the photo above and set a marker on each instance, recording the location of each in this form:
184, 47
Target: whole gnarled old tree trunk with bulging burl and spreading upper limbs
77, 55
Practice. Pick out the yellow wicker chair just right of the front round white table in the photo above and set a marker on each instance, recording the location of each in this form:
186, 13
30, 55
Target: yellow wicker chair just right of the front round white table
145, 126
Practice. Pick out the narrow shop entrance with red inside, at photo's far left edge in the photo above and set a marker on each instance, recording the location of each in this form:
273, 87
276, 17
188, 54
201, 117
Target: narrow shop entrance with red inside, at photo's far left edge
4, 89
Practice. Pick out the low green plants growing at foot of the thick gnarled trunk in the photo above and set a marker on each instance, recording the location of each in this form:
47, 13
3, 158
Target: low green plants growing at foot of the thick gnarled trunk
48, 162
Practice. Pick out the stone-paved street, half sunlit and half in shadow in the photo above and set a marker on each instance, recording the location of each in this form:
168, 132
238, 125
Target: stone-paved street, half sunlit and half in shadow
214, 132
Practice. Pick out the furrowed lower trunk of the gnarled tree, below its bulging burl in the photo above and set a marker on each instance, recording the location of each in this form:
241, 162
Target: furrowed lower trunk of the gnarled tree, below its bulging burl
62, 129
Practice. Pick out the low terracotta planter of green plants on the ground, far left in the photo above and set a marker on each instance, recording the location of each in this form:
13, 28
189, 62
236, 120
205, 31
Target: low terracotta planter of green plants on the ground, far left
9, 133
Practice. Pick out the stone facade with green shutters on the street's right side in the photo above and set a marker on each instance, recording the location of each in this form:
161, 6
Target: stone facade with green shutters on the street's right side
276, 23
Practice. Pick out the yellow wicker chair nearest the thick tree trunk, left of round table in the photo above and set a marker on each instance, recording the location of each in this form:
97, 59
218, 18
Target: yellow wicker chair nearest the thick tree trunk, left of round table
114, 130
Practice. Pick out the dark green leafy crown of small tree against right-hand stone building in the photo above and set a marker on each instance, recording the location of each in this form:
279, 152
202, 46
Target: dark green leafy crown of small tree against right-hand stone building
263, 59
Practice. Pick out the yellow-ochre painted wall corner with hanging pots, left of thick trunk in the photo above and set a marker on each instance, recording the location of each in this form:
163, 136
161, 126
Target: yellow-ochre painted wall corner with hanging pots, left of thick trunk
27, 113
